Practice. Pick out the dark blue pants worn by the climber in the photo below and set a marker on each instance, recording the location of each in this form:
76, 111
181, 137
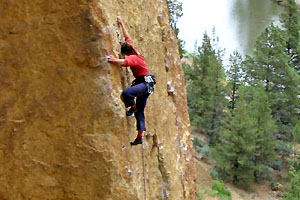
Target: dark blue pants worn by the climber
138, 91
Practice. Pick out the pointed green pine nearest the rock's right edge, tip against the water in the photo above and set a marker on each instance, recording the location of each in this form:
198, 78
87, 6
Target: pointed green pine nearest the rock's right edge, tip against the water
206, 89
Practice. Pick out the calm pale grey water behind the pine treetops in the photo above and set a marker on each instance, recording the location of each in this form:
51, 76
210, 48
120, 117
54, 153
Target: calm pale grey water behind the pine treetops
237, 22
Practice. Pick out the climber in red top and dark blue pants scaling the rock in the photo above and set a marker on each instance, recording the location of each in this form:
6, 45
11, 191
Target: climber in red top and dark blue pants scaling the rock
141, 87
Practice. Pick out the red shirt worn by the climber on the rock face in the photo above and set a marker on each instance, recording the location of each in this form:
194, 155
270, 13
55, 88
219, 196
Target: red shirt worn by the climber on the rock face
136, 63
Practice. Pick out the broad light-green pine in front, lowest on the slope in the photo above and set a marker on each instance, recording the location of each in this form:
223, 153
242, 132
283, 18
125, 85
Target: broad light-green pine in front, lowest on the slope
247, 147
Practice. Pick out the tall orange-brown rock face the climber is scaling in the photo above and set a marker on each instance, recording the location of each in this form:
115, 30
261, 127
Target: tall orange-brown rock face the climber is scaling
63, 129
